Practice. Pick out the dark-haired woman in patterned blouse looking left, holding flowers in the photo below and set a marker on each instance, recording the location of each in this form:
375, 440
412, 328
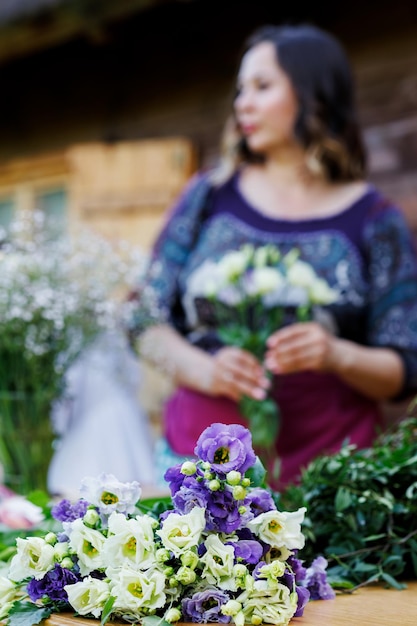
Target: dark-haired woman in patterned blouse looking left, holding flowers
294, 175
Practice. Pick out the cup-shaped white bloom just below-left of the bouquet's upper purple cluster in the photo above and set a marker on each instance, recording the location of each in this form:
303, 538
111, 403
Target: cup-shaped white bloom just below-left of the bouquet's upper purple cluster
180, 533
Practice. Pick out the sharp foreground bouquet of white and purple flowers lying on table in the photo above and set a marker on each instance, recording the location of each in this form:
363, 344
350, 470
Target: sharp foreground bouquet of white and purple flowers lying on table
223, 553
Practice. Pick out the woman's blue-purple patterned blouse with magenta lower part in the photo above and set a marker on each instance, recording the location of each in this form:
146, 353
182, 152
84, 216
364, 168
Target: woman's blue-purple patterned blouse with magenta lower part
366, 251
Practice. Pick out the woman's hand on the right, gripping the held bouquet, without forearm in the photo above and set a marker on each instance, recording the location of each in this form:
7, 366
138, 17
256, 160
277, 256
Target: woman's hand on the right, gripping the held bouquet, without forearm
301, 347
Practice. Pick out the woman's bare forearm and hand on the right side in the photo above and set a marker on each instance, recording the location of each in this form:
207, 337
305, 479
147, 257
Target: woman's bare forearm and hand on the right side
376, 372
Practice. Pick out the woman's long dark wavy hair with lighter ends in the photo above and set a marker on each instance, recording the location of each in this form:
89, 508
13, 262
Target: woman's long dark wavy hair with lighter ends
327, 124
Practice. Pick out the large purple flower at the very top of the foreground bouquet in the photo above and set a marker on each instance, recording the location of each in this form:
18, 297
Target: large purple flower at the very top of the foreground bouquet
226, 448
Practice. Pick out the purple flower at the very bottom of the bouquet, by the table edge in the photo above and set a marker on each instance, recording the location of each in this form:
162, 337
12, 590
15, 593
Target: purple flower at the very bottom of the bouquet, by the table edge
205, 606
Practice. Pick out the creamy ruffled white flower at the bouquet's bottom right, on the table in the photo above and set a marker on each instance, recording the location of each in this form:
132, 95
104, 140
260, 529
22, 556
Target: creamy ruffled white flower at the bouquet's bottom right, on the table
274, 605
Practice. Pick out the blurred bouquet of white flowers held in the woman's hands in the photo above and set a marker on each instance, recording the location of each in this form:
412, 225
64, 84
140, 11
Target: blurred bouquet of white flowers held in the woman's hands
246, 296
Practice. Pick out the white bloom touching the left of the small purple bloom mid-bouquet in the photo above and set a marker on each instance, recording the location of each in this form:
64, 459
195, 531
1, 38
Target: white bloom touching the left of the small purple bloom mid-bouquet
218, 563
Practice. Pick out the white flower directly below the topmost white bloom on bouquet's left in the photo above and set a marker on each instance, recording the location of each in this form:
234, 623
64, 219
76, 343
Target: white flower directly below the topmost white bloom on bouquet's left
88, 544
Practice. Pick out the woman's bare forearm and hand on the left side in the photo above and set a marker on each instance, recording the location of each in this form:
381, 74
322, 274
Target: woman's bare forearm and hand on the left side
230, 372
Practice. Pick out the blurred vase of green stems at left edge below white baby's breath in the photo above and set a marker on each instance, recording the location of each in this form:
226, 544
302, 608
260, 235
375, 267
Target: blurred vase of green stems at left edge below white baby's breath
26, 439
